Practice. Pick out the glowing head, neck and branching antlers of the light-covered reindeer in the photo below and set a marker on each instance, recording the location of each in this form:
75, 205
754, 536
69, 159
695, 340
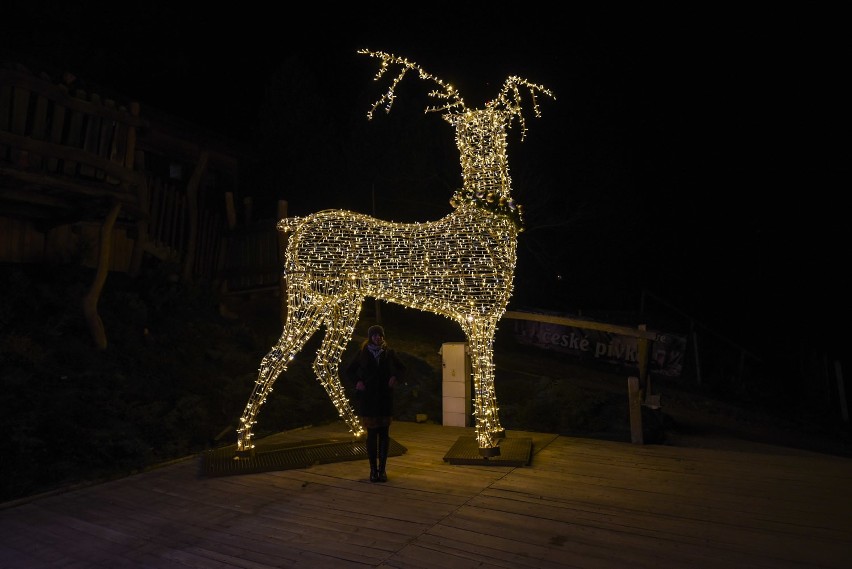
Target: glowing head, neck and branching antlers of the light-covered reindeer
480, 133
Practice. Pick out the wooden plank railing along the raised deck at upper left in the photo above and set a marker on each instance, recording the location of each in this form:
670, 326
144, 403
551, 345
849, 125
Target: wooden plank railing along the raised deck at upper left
59, 144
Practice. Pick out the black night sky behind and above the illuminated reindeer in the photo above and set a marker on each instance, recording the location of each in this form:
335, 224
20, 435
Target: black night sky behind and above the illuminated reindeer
688, 153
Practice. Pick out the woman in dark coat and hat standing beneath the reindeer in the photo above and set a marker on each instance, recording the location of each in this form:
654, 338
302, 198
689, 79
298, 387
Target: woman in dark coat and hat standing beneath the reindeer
375, 370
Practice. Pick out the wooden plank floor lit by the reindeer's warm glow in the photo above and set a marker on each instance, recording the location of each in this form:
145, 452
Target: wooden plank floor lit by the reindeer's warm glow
579, 503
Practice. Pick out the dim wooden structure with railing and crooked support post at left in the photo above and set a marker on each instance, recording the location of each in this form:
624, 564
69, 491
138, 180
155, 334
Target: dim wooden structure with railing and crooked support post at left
91, 179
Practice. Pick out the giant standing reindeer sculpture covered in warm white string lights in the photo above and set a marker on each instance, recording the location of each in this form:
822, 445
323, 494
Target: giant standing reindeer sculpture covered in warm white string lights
461, 267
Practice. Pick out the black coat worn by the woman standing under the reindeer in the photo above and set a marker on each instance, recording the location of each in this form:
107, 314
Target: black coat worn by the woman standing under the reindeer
376, 400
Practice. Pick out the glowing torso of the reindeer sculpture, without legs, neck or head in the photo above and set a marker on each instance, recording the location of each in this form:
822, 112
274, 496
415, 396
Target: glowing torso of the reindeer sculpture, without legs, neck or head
460, 286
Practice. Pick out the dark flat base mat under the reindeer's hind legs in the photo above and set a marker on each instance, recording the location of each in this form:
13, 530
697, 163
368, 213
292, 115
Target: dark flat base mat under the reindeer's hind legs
286, 456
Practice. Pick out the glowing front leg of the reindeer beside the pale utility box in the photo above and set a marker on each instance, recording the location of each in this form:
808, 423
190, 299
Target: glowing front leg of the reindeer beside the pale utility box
480, 336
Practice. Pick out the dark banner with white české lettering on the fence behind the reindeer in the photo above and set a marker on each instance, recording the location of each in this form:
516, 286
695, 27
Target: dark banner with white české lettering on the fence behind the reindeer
666, 353
